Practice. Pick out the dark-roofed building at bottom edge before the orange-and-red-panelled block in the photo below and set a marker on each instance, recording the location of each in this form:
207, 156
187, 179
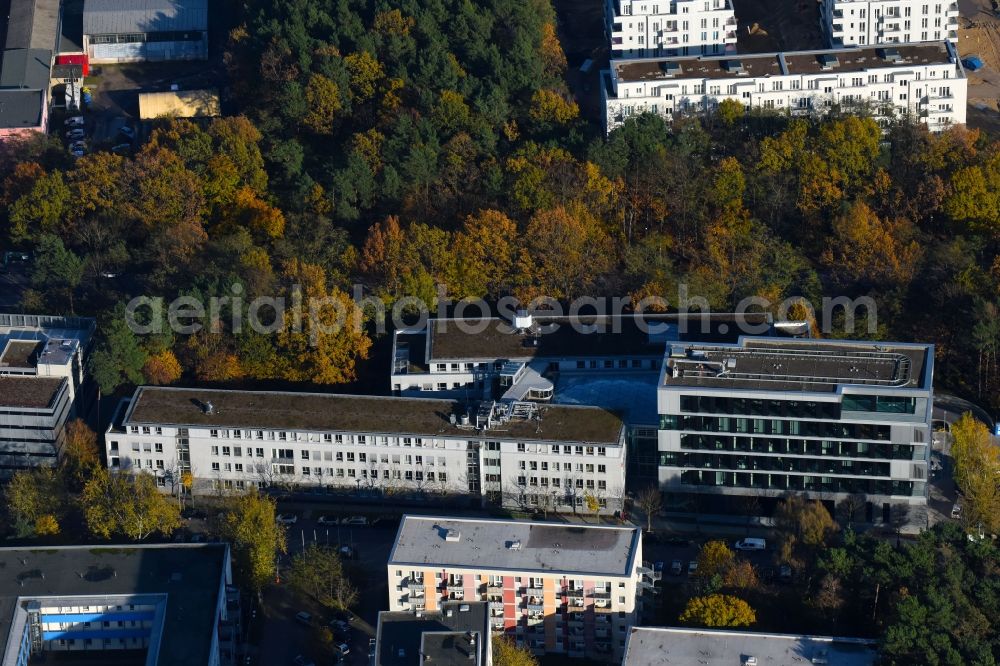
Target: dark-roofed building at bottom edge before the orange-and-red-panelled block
456, 634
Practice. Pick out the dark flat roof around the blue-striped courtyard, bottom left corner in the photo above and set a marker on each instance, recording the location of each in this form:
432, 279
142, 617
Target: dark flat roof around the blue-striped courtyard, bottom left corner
190, 575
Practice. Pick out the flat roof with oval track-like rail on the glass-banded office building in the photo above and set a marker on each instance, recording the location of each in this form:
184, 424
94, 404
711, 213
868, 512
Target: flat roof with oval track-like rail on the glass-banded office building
799, 365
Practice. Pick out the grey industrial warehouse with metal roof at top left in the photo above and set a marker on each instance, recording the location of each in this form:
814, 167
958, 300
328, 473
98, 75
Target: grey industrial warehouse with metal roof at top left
117, 31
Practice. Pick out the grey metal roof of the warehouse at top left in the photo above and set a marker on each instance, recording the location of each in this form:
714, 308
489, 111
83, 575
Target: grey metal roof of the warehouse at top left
114, 17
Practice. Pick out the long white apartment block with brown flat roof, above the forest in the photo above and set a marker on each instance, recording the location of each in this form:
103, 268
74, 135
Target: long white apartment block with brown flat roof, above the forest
925, 82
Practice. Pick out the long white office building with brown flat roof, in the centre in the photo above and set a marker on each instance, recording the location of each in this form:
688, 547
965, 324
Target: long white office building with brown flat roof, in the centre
512, 452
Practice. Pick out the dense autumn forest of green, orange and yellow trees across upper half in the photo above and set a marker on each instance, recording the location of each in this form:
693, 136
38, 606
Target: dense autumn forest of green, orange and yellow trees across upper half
404, 145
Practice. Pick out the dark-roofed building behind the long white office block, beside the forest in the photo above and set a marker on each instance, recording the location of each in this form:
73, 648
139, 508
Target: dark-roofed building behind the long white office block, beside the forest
518, 357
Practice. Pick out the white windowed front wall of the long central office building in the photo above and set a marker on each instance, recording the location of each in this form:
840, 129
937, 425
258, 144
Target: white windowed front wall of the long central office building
231, 459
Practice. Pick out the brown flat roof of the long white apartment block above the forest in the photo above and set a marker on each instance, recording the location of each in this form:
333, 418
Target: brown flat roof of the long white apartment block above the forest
849, 59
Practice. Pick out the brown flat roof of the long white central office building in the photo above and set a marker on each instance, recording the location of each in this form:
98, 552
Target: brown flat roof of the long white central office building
271, 410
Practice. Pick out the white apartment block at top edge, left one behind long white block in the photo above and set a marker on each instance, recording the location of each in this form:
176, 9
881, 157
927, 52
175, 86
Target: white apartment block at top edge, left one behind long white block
641, 28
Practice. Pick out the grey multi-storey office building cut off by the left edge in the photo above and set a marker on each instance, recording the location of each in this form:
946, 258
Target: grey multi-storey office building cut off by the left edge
42, 386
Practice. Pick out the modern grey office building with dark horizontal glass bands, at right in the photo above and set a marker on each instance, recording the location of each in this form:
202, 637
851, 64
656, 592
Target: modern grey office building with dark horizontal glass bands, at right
826, 419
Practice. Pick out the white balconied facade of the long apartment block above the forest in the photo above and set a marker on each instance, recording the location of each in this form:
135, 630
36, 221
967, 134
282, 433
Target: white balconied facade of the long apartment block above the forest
935, 94
